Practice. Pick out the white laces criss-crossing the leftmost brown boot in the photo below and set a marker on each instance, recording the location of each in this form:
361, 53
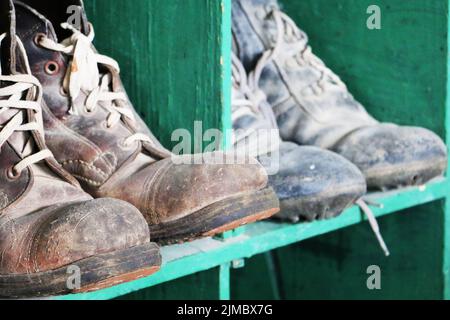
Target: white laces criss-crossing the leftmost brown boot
12, 99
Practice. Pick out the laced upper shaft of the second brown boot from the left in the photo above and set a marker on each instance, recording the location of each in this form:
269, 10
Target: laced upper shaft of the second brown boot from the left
91, 126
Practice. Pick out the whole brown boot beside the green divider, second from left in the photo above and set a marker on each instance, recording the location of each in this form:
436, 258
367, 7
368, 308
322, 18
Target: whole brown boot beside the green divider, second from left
94, 132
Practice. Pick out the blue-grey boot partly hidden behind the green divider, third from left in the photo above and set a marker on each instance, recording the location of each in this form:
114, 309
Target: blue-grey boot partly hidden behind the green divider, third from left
310, 182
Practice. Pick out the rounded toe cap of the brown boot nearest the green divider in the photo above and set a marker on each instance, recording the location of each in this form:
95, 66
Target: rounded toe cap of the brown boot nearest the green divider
186, 188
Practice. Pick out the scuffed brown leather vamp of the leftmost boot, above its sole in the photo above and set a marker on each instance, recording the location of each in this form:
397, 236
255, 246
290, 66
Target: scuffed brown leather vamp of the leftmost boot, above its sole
63, 234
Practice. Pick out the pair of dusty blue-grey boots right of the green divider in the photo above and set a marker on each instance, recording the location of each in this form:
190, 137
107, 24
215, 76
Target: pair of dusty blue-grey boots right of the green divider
329, 149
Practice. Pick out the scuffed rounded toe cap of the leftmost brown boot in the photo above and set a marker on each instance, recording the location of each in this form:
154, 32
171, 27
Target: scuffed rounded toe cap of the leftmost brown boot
86, 229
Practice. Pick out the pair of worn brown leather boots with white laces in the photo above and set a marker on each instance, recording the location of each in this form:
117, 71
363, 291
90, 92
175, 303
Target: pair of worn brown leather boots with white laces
83, 182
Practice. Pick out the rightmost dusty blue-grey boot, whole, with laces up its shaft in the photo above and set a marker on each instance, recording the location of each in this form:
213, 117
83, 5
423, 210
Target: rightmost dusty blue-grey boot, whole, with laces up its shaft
314, 107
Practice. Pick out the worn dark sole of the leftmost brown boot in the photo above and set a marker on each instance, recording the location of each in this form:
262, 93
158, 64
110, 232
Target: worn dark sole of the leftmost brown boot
96, 273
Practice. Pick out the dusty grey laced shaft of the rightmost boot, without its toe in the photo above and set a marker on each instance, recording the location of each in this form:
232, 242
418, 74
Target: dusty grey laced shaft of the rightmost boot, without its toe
303, 92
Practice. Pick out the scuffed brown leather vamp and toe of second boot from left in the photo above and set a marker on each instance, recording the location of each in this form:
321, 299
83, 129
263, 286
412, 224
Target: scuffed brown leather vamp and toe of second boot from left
166, 191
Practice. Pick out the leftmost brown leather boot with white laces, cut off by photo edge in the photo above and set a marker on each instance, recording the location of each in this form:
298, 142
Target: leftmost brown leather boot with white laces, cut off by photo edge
54, 238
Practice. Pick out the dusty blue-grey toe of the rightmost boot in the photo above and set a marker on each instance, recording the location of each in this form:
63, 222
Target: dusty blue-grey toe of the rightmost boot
392, 156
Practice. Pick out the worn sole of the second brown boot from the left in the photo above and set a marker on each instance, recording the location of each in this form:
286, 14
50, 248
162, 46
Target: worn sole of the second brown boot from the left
217, 218
